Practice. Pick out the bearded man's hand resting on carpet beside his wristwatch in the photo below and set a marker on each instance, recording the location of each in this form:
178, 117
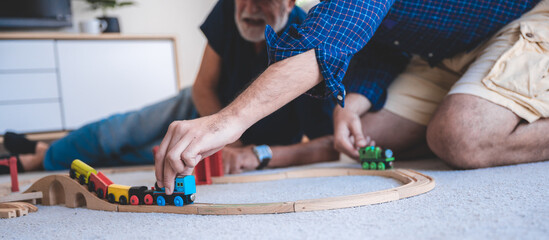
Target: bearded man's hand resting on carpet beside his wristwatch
235, 160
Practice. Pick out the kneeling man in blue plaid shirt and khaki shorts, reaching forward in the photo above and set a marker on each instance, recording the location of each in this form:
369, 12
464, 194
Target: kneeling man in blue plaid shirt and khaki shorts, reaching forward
424, 47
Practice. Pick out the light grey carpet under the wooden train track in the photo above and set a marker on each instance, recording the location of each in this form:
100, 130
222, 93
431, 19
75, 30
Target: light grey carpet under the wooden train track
497, 203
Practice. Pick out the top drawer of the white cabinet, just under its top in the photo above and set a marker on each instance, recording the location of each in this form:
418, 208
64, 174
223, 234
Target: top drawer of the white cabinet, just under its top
26, 54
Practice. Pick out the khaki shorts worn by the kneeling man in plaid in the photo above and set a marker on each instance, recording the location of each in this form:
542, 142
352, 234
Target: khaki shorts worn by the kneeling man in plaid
511, 69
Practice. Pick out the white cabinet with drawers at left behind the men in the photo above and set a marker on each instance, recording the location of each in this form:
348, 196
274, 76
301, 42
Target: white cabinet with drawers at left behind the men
65, 82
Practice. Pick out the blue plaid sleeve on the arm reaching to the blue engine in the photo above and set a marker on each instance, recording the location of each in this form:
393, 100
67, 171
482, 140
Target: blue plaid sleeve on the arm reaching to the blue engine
336, 30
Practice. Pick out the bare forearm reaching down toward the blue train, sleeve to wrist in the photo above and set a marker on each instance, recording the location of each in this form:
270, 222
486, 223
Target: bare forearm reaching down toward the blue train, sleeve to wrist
278, 85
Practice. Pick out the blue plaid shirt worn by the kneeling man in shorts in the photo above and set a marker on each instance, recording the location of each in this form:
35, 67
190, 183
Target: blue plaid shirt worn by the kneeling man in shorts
338, 31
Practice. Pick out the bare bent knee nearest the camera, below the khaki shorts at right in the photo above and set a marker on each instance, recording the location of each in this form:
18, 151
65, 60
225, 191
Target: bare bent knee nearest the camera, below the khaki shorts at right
471, 132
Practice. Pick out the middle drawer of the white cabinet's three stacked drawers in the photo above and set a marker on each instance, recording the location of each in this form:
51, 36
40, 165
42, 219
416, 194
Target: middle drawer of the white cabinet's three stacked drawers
28, 86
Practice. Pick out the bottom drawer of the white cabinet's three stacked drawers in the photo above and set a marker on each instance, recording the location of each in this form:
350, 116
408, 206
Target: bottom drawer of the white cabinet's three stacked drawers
36, 117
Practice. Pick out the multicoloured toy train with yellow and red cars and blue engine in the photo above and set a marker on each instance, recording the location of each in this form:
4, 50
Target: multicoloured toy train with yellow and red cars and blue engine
184, 191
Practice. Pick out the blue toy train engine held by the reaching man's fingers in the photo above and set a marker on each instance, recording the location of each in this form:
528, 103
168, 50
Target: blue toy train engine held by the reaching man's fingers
183, 194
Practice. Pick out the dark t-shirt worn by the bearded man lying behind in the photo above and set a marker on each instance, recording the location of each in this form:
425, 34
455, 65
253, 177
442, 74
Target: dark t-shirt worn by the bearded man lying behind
240, 65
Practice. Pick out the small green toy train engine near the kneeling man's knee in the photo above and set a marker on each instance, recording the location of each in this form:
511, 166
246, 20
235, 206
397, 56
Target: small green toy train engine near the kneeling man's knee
374, 158
